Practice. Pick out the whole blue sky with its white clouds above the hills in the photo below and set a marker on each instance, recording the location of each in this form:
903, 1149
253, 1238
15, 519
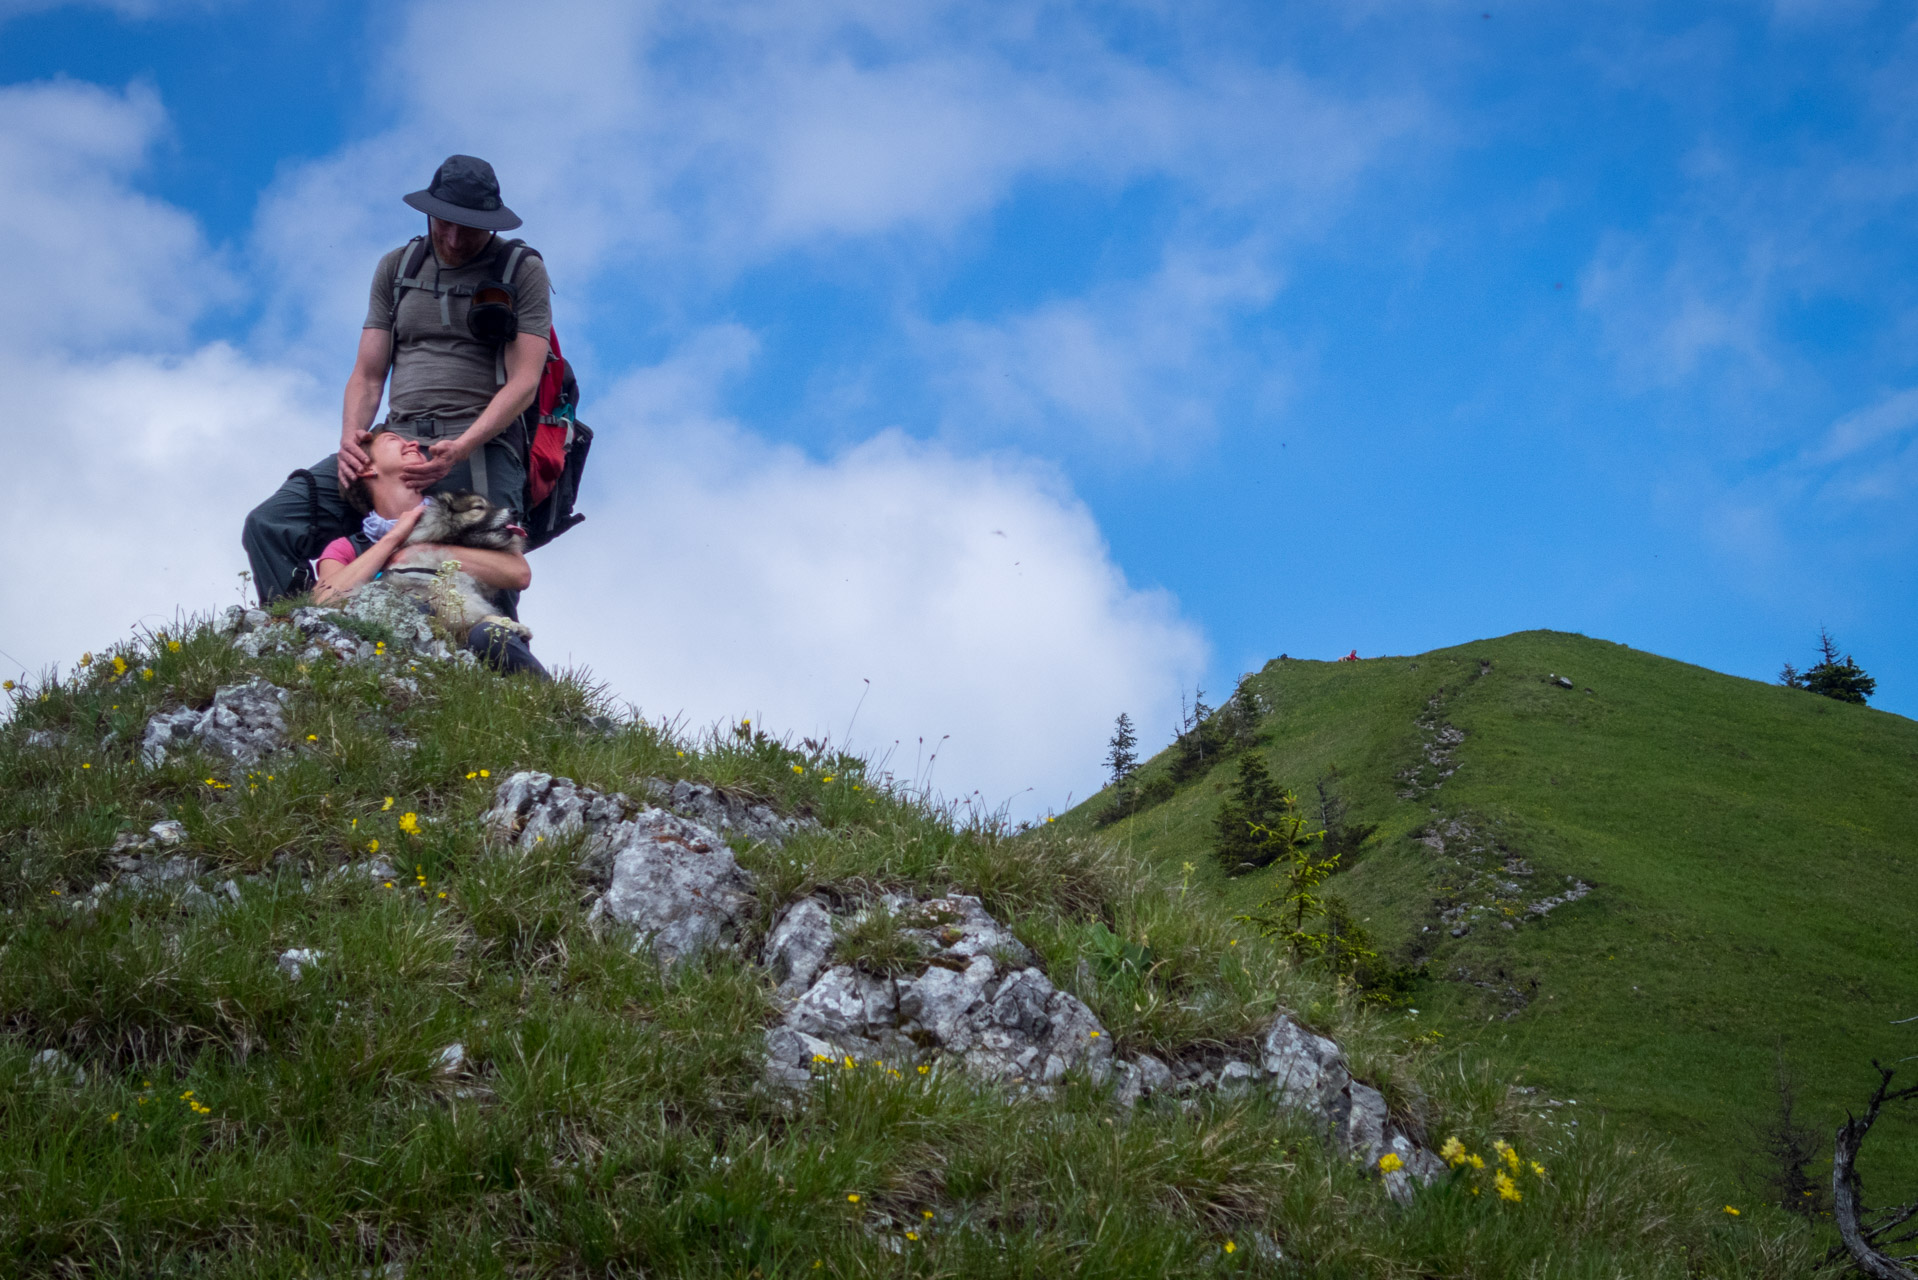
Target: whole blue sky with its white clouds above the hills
1029, 362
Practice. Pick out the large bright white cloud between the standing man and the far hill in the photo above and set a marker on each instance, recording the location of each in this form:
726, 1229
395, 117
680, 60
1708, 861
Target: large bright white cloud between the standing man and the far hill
720, 577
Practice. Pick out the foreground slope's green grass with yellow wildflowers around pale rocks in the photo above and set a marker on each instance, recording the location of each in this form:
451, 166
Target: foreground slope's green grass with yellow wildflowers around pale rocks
611, 1118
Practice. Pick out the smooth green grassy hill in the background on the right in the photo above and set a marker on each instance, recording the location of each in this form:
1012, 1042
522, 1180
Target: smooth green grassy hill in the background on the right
1752, 855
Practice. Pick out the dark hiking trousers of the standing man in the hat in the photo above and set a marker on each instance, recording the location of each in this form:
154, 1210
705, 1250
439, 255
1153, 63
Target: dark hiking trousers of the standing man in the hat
285, 534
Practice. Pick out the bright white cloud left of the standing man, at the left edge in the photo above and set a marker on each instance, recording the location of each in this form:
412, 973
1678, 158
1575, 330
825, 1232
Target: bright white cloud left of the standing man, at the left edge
126, 492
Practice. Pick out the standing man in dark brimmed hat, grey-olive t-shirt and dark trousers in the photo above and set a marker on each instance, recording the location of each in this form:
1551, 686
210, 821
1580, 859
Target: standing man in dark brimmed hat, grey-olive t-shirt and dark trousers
461, 320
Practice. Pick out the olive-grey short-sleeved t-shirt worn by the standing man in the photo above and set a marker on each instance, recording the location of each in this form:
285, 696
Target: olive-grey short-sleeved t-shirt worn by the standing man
440, 369
